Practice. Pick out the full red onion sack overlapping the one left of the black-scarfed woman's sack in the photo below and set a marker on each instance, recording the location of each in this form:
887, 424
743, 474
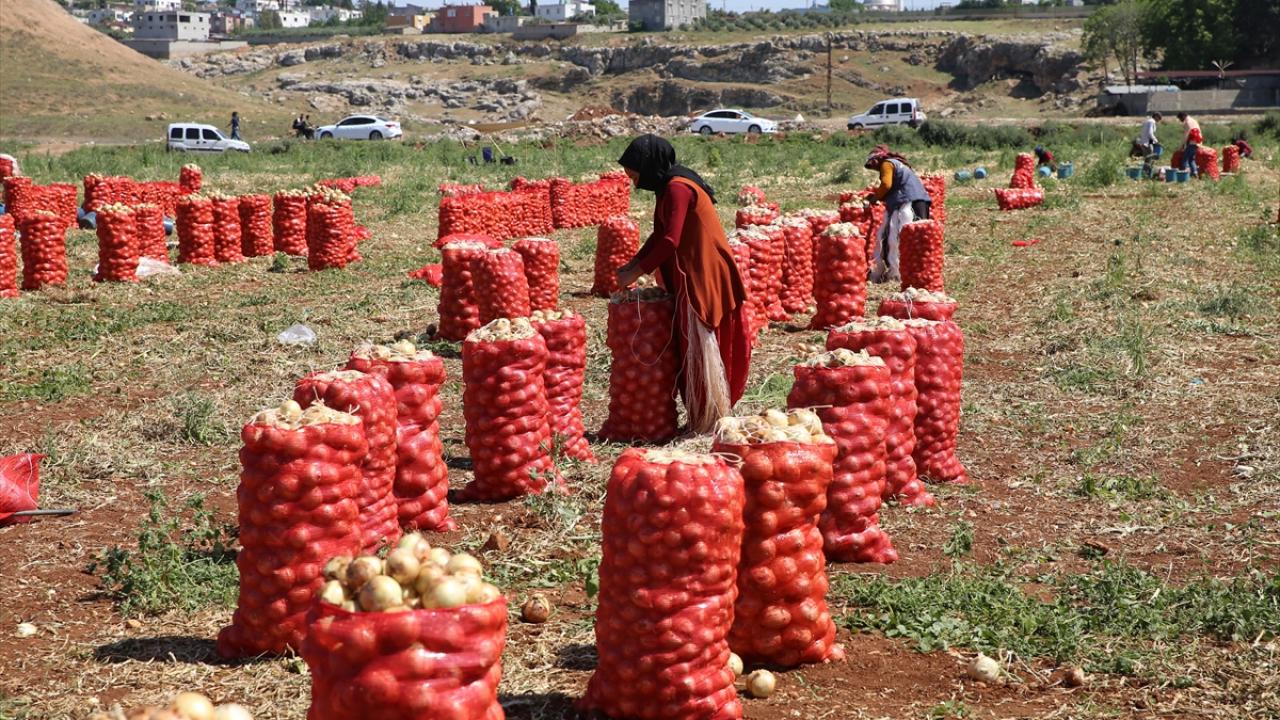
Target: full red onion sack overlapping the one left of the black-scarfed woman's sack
505, 407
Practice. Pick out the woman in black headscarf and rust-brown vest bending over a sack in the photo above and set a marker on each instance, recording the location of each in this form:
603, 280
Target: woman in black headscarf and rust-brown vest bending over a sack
691, 257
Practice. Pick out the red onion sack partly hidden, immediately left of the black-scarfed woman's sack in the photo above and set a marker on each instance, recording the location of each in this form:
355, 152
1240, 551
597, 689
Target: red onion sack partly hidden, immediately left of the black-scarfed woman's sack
565, 335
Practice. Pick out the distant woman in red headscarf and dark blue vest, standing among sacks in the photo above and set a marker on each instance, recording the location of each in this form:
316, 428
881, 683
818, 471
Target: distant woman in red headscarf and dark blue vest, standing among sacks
906, 200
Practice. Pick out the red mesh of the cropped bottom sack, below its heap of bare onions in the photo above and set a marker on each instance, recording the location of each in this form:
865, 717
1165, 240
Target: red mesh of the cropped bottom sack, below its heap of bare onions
418, 666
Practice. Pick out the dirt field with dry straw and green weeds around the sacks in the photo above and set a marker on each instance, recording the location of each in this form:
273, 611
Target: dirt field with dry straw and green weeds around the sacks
1121, 427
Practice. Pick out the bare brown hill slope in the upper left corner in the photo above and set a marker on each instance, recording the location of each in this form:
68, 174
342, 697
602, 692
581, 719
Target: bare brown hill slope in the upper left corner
61, 80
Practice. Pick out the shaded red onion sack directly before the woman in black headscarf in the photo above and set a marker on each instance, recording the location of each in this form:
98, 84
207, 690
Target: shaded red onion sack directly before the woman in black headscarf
643, 375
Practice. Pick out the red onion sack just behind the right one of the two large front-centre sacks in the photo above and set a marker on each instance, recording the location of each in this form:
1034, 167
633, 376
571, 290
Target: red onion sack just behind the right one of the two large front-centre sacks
851, 394
